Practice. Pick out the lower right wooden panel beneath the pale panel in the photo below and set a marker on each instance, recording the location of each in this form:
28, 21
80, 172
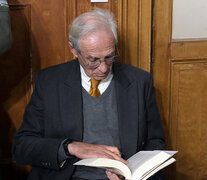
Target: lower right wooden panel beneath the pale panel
188, 117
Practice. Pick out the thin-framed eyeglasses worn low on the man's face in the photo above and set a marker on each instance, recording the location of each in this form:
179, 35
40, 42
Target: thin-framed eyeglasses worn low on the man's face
94, 62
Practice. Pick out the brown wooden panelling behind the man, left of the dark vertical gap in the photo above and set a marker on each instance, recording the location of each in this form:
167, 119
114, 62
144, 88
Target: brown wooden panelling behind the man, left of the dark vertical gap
40, 39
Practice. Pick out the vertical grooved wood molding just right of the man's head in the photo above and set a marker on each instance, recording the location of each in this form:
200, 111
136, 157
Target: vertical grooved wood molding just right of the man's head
134, 24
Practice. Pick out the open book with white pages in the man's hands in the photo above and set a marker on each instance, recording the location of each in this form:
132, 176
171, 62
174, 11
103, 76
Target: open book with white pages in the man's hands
140, 166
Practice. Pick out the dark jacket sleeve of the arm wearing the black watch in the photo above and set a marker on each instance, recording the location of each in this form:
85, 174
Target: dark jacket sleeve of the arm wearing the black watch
30, 145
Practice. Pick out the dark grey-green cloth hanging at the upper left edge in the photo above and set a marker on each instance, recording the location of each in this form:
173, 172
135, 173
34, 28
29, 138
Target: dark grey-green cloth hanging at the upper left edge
5, 29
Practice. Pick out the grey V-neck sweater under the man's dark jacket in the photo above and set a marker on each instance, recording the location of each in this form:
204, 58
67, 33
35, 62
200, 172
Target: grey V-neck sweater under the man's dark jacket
100, 127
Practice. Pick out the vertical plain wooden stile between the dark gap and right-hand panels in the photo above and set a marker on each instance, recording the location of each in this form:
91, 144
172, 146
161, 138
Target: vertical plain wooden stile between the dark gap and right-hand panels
160, 64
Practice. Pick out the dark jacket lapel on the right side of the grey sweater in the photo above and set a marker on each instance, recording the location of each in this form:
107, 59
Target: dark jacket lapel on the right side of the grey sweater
127, 107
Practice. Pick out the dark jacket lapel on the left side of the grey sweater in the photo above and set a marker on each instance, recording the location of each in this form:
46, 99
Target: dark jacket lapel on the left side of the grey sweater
71, 103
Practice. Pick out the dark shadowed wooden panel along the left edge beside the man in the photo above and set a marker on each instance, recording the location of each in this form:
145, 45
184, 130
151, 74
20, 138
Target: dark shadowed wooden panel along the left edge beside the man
15, 79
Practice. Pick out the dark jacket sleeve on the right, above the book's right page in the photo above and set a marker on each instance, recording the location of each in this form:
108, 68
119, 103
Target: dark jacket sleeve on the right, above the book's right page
155, 135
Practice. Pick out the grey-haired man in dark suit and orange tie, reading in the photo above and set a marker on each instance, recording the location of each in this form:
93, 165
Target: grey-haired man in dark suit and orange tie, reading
90, 107
